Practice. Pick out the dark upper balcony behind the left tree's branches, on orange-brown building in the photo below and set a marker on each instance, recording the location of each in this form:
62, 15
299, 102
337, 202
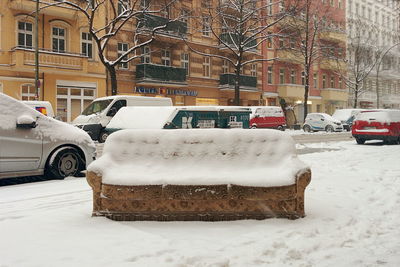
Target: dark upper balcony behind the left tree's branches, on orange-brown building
149, 22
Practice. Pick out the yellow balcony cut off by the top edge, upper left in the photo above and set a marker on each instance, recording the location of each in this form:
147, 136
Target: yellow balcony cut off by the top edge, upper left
29, 6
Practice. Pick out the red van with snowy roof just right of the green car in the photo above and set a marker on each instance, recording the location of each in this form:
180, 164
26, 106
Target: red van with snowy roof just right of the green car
267, 117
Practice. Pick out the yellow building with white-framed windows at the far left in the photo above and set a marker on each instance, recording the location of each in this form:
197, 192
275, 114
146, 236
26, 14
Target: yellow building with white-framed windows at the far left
71, 75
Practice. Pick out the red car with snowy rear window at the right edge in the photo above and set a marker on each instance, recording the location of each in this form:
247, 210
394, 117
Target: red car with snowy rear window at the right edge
377, 125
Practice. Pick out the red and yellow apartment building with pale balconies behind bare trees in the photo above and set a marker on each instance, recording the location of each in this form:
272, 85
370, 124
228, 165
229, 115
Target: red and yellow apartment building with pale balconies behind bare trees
284, 78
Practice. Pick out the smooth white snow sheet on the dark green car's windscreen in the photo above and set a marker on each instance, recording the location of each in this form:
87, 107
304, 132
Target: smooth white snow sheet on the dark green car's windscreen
142, 117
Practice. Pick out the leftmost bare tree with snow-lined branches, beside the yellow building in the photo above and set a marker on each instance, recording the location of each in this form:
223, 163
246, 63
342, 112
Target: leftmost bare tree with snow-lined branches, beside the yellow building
118, 13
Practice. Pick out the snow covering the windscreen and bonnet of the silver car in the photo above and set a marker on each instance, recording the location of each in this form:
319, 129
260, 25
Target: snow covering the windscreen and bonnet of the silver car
12, 110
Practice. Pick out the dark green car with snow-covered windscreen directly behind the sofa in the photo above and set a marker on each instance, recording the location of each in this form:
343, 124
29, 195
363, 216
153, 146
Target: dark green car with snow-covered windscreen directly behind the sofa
184, 117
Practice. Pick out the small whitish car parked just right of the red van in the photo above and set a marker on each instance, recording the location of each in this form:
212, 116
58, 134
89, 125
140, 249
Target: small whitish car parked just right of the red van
321, 122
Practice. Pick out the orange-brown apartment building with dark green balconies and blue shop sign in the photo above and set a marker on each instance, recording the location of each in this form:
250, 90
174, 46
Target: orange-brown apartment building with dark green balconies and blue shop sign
169, 68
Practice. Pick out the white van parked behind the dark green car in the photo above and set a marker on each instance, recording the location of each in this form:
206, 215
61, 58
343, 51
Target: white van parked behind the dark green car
98, 114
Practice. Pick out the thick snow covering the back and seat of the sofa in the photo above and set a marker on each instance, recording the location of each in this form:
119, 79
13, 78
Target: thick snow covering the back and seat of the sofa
201, 156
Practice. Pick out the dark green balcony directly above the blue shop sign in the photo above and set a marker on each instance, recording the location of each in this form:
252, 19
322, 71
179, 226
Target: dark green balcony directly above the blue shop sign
160, 73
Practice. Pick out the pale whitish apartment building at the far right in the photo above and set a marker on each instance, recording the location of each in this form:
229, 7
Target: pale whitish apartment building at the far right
379, 21
